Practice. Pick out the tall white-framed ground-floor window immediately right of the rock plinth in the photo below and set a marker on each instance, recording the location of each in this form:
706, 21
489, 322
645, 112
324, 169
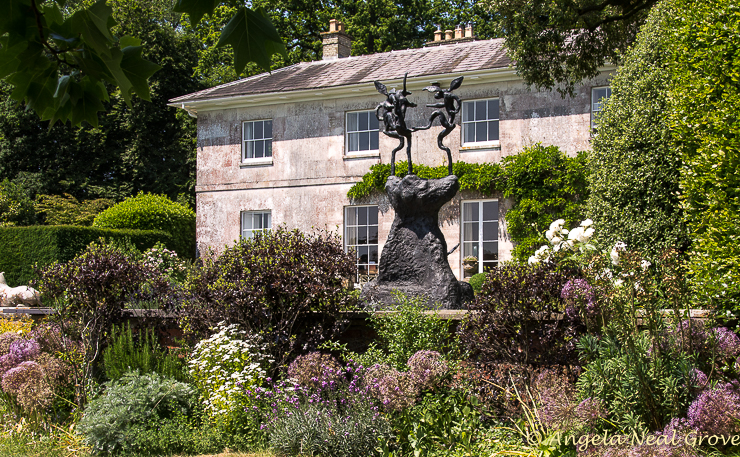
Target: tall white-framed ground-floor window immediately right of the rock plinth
479, 236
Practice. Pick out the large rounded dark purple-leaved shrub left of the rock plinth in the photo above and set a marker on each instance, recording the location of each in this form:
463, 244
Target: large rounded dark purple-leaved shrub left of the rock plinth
284, 285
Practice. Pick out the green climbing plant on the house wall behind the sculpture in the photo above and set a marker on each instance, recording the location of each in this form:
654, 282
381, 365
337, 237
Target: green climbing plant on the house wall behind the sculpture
545, 184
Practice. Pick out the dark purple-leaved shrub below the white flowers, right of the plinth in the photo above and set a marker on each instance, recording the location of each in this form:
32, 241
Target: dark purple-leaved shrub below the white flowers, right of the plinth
518, 318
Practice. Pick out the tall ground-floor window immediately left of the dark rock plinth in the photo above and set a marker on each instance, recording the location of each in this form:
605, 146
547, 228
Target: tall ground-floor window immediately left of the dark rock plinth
361, 236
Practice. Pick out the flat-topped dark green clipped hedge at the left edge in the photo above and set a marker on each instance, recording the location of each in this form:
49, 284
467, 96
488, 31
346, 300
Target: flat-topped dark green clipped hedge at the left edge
22, 247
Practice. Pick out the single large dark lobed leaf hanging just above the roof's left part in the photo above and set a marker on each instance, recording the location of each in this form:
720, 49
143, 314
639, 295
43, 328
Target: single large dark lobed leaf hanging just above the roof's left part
253, 38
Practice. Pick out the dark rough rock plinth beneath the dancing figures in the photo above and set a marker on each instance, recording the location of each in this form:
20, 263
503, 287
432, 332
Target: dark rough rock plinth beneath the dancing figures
414, 258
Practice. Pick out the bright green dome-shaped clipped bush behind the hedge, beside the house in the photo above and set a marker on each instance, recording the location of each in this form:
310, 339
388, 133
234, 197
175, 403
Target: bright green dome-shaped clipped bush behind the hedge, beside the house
153, 212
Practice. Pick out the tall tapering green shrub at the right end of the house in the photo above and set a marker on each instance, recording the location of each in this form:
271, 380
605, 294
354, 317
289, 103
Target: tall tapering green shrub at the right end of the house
634, 166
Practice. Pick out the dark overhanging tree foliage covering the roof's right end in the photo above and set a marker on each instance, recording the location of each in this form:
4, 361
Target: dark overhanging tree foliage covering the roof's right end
558, 43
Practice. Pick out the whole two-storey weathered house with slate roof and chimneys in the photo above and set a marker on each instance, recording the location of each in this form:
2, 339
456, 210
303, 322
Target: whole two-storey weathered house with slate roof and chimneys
285, 147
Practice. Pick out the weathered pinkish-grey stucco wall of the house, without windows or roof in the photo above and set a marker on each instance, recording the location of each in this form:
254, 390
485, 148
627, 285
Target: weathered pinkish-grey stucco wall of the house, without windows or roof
306, 183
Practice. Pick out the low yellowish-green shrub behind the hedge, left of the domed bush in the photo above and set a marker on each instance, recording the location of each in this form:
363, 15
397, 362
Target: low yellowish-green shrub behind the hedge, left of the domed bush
67, 210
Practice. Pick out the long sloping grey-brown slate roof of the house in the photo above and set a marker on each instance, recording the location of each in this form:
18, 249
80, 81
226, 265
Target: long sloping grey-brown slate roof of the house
438, 60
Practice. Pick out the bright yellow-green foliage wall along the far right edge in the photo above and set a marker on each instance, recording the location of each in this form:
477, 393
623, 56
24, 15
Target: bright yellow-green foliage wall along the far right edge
705, 101
